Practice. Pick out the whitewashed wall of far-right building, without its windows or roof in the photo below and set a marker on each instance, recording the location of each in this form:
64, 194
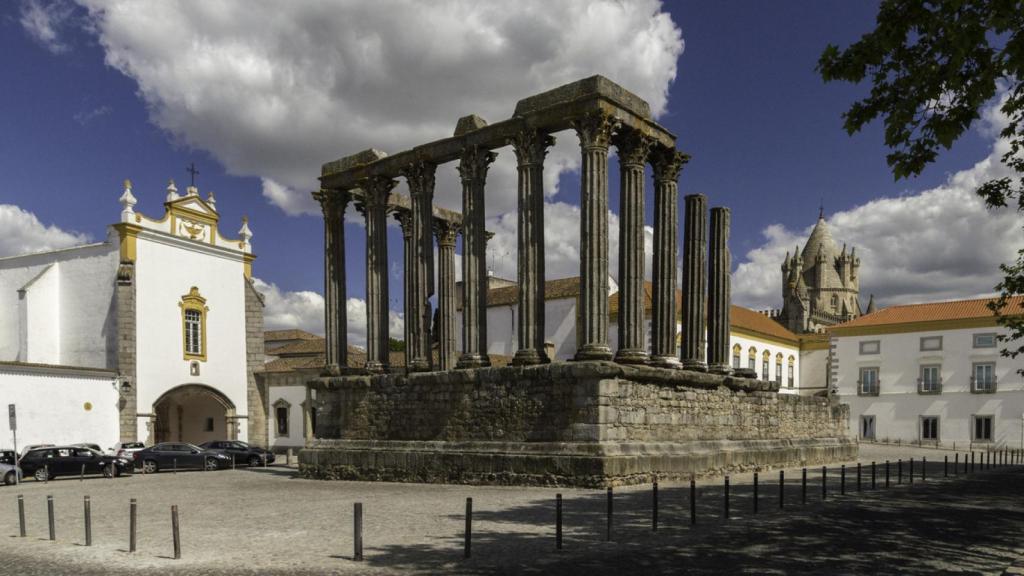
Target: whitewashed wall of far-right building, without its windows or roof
899, 407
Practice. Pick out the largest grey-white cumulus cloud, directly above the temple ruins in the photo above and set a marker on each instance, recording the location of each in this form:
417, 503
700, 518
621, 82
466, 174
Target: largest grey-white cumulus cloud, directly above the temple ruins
278, 97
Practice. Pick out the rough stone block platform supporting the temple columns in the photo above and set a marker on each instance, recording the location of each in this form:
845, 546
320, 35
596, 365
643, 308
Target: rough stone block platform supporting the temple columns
591, 424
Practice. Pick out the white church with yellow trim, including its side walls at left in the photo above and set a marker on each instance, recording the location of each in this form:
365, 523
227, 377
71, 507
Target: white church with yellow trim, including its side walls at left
153, 335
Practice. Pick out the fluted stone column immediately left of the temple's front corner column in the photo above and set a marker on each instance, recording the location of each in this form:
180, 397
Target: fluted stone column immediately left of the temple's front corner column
531, 147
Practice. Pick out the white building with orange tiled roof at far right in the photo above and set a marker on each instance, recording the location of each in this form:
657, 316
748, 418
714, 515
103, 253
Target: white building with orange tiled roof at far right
930, 373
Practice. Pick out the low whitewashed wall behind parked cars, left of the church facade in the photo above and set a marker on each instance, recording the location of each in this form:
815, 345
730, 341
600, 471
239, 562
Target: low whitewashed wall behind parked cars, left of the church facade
52, 407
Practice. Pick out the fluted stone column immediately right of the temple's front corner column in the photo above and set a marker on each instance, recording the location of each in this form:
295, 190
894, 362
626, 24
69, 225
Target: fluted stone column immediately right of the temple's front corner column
633, 149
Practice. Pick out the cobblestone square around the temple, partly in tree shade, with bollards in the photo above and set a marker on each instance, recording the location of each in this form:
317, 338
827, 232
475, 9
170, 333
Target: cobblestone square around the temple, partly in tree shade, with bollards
270, 522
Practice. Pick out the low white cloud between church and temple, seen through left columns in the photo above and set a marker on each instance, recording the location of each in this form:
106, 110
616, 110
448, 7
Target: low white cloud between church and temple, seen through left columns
305, 310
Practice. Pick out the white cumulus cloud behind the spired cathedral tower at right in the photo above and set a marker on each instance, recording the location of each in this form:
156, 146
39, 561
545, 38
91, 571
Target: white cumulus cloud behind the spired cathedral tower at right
937, 244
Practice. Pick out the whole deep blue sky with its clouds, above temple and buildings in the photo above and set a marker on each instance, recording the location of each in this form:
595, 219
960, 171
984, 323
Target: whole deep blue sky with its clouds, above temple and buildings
89, 104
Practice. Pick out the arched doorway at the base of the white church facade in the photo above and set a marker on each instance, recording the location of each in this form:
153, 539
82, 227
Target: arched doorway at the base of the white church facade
194, 414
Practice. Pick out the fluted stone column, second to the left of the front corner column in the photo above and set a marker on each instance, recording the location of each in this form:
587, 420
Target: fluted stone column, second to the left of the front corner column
474, 172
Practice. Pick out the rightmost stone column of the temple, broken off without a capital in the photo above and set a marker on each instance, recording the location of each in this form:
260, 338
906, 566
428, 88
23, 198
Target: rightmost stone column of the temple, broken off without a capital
719, 296
